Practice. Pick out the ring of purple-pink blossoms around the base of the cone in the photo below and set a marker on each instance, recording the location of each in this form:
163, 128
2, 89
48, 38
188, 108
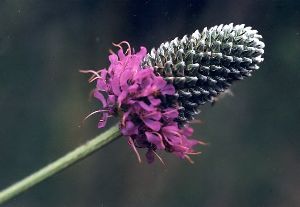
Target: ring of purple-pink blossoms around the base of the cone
136, 95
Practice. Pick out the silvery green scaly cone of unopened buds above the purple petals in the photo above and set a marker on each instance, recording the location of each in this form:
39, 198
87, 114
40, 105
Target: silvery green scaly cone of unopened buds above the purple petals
205, 64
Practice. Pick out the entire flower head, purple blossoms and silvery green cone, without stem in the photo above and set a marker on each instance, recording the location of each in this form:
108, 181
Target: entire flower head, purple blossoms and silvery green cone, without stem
156, 94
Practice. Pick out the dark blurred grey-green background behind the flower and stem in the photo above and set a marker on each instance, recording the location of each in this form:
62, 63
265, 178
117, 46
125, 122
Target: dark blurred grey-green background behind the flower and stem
253, 159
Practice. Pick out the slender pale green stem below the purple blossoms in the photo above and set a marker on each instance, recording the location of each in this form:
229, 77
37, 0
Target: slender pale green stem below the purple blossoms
60, 164
